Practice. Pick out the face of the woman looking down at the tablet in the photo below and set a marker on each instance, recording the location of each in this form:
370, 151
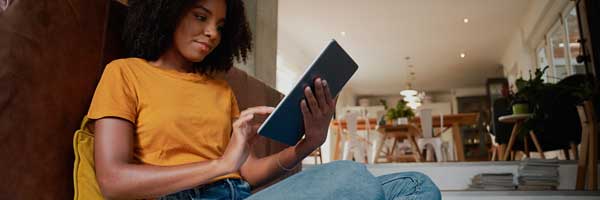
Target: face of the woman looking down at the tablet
199, 30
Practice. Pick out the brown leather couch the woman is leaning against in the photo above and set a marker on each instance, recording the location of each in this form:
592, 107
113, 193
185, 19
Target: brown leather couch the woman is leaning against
52, 54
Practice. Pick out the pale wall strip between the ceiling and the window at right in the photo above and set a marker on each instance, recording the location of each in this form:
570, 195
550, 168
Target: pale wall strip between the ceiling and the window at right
519, 57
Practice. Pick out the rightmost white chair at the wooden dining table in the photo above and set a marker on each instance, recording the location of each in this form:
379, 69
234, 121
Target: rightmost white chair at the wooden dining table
427, 139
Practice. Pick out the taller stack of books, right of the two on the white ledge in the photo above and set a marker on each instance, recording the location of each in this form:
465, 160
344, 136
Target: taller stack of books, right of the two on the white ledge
538, 174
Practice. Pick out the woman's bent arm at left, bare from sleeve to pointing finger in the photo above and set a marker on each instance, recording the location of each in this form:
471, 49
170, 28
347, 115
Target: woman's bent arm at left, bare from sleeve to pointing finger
120, 177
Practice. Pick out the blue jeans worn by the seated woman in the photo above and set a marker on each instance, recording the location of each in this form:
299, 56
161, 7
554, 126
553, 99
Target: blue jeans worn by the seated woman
336, 180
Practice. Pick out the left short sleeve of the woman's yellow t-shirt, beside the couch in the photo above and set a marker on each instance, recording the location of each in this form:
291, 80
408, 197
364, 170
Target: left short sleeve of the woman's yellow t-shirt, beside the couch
115, 95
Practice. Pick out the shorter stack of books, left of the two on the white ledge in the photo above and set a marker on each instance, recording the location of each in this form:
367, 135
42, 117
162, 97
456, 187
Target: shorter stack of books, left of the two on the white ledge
493, 181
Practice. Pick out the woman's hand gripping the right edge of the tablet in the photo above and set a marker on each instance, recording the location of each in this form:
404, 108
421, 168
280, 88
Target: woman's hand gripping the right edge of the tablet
317, 113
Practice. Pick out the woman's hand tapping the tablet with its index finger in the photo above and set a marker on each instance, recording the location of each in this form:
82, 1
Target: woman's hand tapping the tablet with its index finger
242, 136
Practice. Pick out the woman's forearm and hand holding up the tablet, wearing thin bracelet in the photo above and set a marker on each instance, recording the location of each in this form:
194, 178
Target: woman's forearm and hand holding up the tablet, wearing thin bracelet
317, 113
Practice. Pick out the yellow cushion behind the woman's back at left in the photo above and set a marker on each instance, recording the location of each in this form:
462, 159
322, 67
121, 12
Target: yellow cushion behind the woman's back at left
84, 176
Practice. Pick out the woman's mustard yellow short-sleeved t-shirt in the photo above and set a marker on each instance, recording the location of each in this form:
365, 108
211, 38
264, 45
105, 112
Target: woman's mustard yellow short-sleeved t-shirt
179, 117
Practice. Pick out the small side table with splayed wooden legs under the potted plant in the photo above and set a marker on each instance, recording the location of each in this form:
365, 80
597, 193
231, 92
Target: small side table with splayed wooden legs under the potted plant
518, 120
